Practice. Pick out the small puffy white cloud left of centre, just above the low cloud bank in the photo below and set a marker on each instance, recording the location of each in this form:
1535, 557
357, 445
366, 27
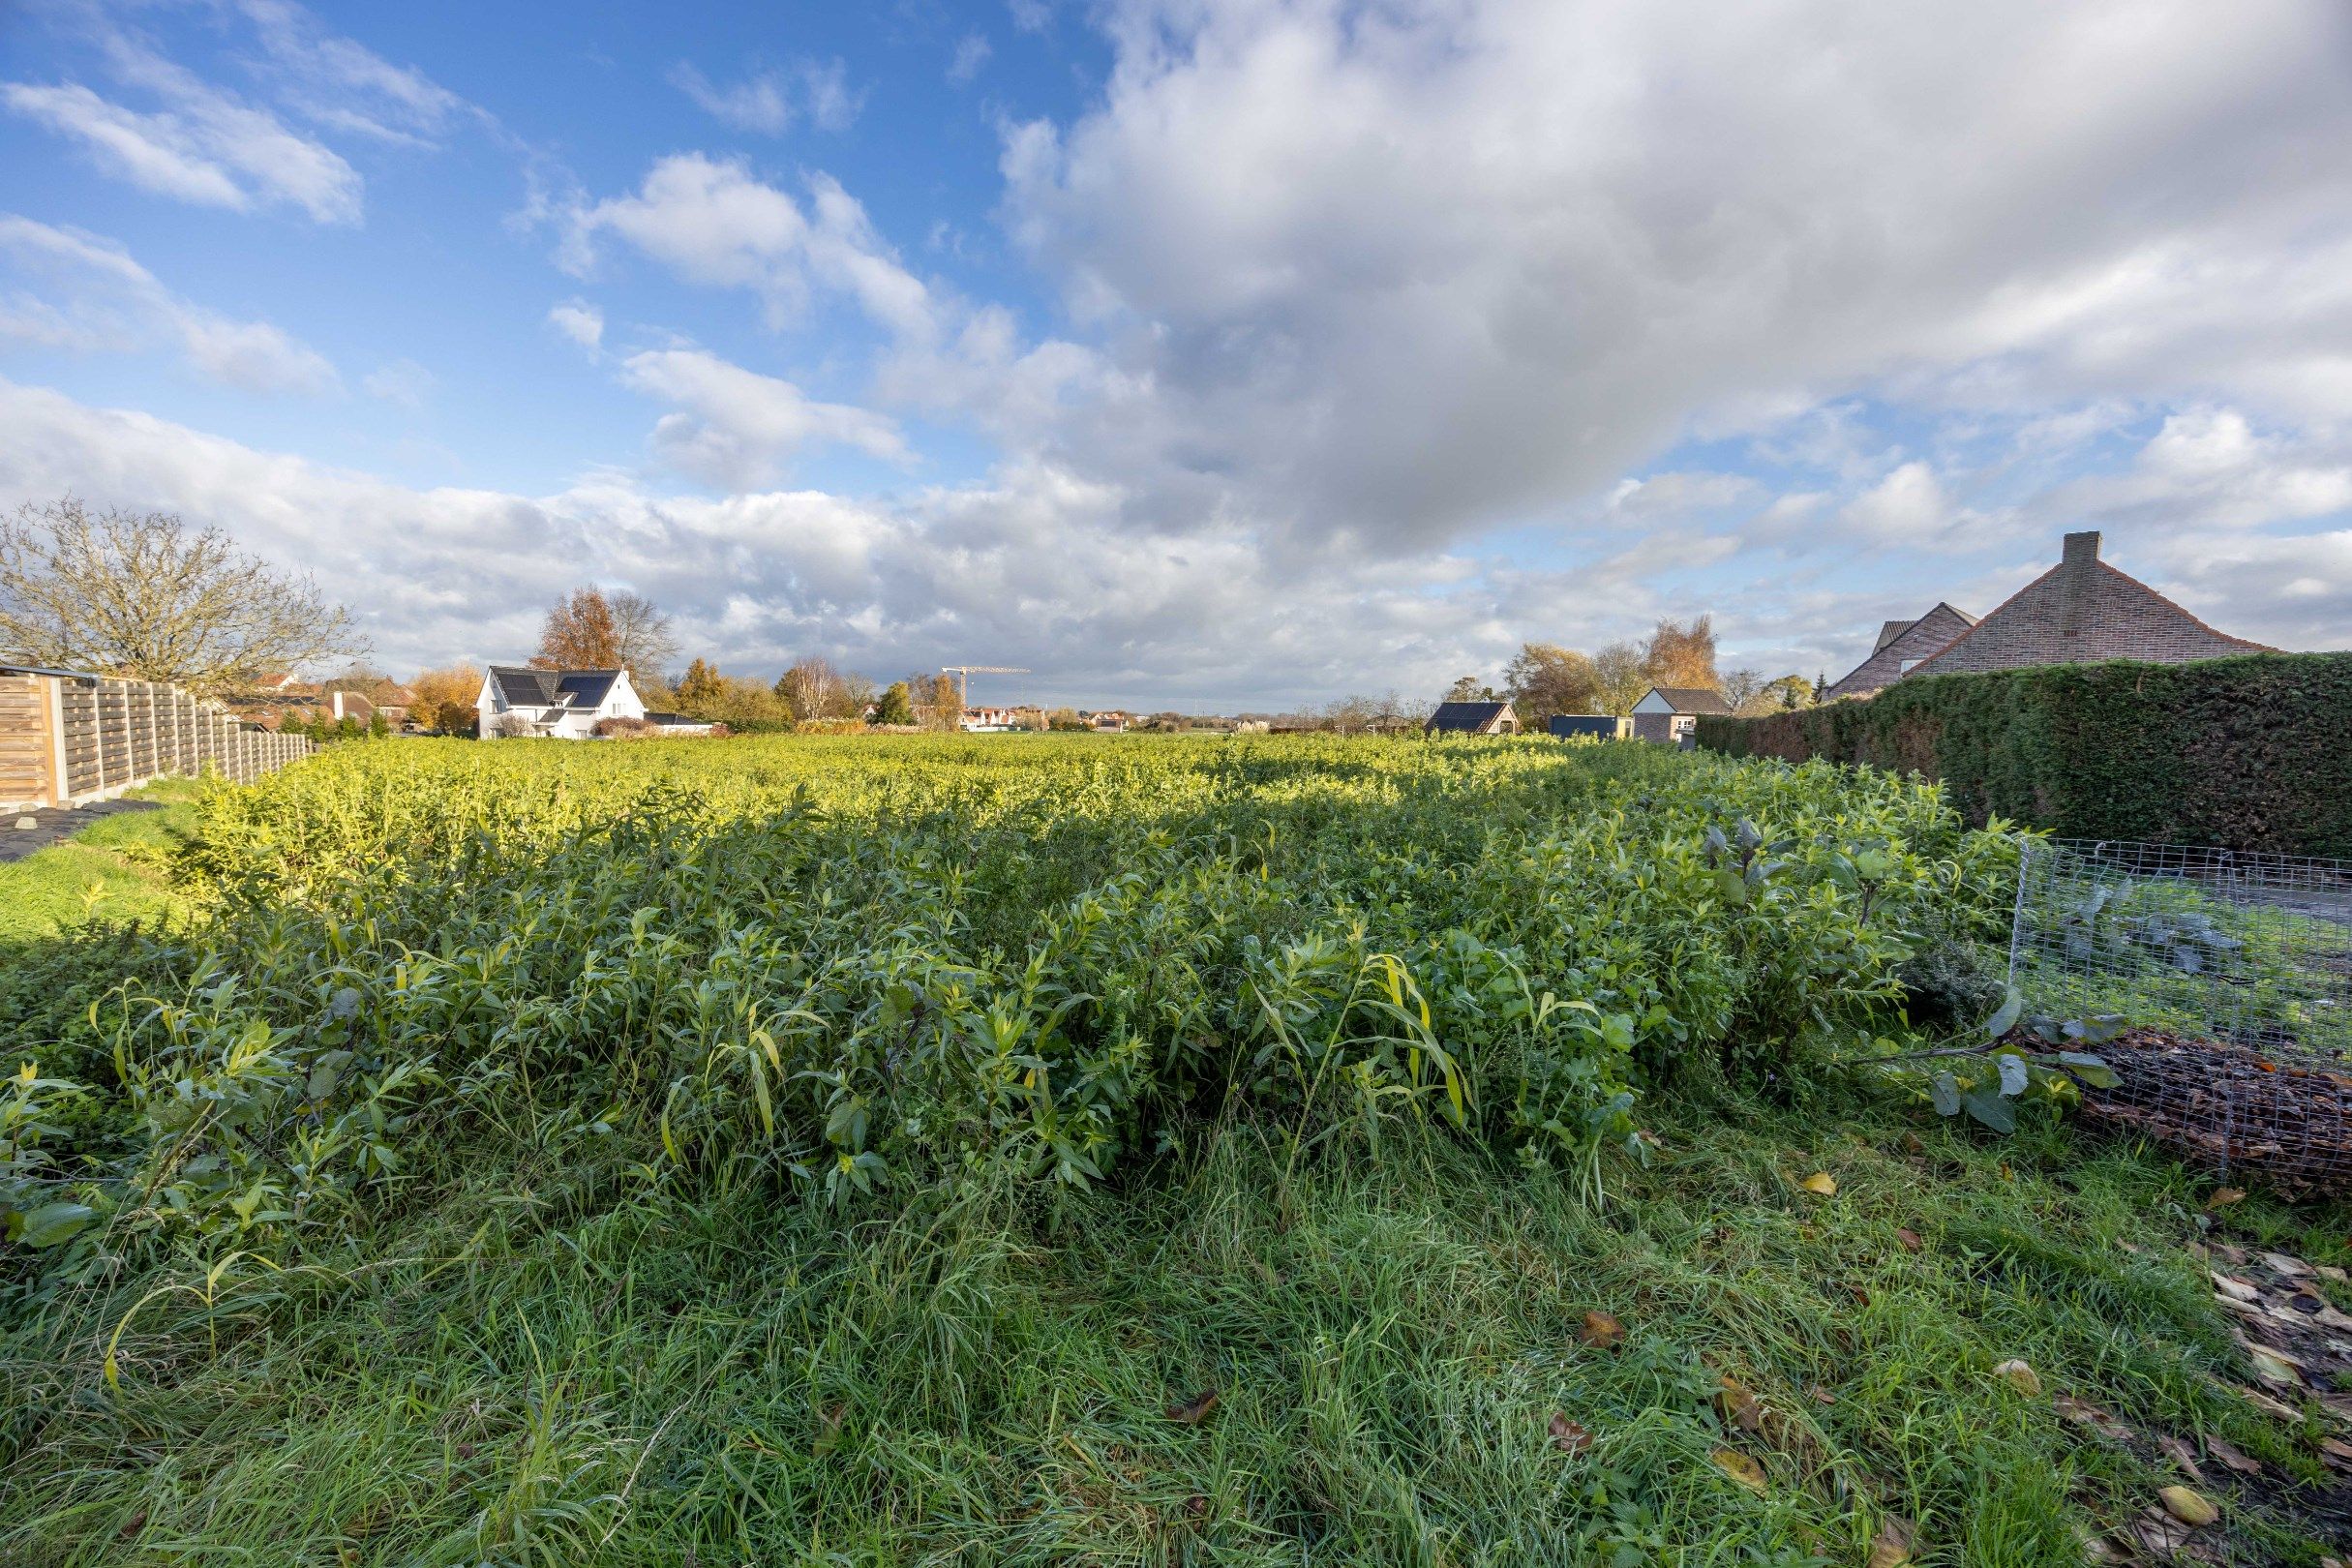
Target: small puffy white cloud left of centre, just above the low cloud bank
735, 427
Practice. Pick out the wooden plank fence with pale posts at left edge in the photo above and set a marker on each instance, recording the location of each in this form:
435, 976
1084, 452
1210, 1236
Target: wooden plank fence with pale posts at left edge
72, 739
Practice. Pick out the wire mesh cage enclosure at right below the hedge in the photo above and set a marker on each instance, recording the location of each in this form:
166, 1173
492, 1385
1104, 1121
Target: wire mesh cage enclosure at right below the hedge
2233, 981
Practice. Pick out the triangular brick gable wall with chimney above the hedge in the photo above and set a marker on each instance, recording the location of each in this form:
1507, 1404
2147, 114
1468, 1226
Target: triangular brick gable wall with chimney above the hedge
2078, 612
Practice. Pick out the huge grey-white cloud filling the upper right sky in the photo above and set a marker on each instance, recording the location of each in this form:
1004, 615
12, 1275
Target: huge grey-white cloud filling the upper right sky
1419, 269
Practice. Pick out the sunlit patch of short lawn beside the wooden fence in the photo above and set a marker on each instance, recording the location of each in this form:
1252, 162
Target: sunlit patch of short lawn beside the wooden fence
114, 869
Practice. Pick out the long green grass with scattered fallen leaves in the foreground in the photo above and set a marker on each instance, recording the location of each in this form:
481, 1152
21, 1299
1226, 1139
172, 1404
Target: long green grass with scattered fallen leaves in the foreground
533, 1372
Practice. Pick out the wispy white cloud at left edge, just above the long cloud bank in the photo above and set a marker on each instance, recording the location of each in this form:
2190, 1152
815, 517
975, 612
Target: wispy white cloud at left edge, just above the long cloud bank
86, 293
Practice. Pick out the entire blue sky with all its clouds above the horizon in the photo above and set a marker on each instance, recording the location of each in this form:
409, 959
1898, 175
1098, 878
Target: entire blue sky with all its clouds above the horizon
1194, 354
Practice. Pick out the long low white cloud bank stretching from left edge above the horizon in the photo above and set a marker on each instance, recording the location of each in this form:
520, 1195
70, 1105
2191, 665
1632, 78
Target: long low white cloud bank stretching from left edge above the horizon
1027, 565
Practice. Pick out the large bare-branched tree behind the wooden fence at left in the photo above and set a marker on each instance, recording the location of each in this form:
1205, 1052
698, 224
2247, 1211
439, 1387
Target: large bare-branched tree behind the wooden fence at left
147, 596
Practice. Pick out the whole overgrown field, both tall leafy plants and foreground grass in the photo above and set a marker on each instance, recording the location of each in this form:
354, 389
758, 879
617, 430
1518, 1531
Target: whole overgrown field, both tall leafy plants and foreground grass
869, 1151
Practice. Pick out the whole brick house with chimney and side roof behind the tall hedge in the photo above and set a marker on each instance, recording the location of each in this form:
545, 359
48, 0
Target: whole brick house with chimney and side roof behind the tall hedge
2078, 612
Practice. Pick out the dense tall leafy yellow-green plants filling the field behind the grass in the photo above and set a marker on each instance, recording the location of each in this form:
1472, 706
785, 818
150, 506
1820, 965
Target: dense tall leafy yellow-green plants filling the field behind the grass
862, 963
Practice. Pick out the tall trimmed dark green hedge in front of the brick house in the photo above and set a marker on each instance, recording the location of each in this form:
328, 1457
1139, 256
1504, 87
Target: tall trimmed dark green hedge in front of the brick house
2238, 753
